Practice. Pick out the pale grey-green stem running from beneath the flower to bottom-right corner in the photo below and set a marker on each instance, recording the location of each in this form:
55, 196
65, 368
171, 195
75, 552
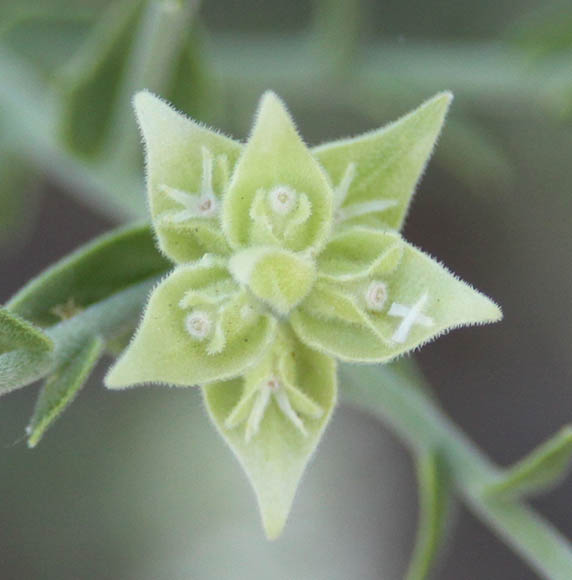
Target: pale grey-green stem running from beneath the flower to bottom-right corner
422, 425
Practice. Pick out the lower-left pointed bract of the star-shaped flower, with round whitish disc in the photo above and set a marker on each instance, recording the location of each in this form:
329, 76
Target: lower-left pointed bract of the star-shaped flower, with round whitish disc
198, 326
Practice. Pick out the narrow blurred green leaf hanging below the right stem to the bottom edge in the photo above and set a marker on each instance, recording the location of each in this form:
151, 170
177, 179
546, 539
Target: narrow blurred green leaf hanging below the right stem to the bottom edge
434, 506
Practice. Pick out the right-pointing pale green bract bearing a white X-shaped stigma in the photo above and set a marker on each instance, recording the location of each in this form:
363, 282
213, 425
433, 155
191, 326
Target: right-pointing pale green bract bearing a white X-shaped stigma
381, 297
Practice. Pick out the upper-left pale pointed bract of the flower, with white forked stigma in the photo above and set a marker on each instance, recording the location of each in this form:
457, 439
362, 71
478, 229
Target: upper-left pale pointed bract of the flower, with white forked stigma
188, 168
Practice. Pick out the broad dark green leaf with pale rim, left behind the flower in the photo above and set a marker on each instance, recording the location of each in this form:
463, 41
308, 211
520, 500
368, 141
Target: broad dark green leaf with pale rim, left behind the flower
107, 265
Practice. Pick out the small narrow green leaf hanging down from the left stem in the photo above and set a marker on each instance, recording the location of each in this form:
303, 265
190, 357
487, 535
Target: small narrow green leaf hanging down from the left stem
61, 388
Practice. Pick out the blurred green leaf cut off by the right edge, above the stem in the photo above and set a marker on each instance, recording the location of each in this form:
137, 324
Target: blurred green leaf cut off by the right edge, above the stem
537, 472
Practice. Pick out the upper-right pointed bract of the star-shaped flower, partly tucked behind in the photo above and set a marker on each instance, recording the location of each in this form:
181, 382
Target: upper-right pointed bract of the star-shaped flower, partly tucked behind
374, 175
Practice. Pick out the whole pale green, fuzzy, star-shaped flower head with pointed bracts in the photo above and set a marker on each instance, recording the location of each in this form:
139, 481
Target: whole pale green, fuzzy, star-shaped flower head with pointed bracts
286, 259
